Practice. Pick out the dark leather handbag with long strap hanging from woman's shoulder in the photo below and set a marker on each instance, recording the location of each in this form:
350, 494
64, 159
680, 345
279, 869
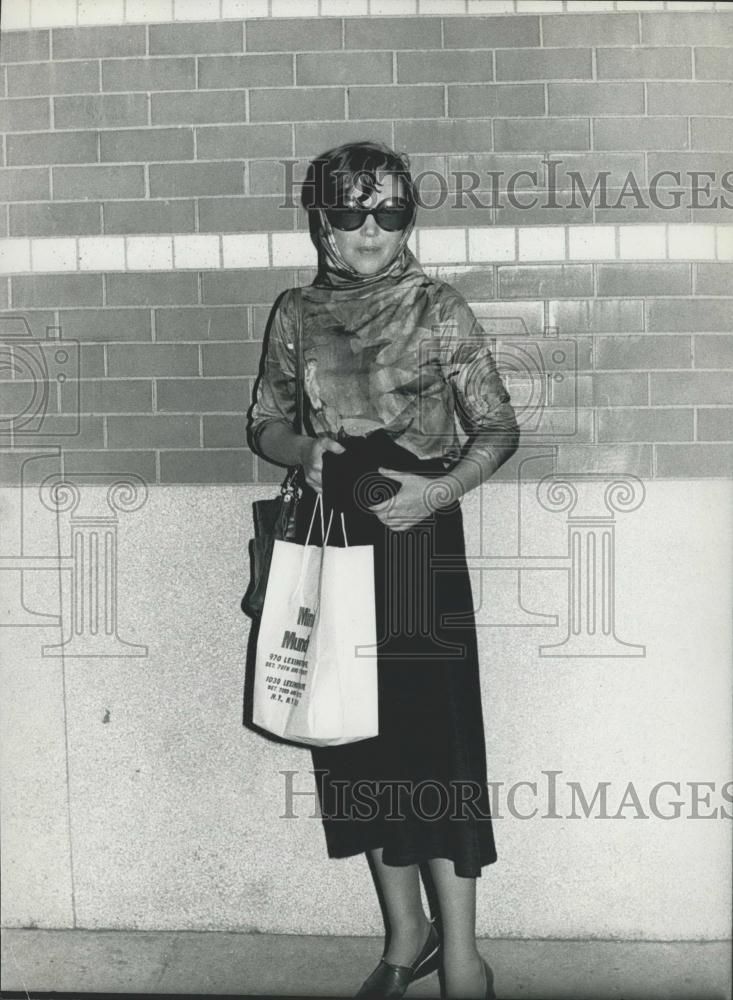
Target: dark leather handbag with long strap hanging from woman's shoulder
276, 518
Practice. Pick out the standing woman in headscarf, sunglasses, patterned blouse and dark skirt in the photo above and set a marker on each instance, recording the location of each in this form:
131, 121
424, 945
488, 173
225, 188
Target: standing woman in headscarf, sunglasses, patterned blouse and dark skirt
407, 413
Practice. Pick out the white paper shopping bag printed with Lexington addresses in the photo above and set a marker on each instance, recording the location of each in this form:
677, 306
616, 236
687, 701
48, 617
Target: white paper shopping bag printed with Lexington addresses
316, 664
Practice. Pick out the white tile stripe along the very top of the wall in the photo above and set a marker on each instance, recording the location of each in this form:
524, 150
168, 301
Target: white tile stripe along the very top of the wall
18, 14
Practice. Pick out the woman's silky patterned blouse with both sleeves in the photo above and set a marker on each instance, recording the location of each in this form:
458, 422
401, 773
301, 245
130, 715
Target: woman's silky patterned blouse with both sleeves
405, 353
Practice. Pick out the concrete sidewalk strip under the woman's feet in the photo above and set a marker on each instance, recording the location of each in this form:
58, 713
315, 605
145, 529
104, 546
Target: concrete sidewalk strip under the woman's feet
191, 962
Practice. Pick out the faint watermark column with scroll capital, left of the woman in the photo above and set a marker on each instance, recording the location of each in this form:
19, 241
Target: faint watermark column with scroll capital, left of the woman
93, 560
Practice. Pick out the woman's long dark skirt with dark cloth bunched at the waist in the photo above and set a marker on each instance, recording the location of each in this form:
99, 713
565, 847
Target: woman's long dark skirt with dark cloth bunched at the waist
419, 788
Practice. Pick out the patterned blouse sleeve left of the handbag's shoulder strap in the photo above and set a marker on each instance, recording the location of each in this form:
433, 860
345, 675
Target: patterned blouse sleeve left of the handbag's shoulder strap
274, 395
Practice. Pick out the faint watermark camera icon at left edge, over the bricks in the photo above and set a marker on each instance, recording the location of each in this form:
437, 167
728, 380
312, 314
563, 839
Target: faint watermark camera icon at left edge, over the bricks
40, 378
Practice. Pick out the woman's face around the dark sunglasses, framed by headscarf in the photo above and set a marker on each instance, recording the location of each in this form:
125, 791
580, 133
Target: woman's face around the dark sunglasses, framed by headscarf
370, 248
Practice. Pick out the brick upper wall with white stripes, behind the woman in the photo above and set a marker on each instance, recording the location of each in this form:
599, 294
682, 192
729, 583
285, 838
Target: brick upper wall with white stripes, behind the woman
144, 220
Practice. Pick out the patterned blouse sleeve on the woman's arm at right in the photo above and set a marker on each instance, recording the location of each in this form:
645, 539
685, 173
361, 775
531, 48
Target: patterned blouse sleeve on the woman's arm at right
482, 402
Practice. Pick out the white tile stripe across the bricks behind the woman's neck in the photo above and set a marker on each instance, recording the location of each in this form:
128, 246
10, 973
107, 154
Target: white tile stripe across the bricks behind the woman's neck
477, 245
